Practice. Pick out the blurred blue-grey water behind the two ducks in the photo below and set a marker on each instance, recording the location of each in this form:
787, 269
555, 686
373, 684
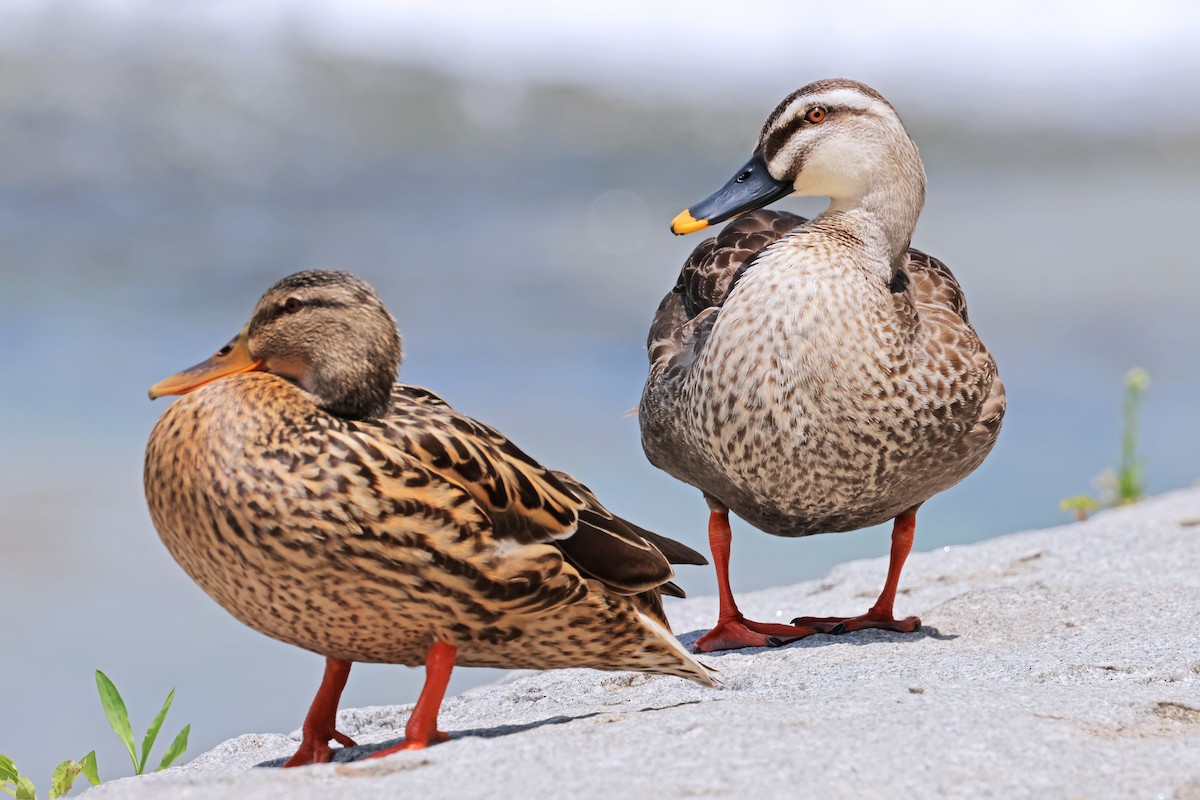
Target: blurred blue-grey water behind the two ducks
506, 176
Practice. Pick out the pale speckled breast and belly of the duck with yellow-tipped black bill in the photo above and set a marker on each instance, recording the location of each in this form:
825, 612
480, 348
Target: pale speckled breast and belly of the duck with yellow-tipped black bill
809, 417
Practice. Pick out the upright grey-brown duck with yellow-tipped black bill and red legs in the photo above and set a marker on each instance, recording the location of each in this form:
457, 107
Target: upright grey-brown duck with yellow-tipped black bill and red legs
818, 376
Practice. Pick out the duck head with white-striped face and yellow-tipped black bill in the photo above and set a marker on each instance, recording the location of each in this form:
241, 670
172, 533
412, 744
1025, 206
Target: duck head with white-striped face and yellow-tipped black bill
835, 139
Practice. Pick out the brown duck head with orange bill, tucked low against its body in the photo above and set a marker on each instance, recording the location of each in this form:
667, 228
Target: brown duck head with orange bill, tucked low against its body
327, 332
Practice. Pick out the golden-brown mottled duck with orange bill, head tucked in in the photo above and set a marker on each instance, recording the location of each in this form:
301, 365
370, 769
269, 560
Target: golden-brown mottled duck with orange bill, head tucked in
328, 507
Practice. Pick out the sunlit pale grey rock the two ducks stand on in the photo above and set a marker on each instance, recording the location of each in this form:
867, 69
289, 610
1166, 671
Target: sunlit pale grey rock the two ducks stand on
1054, 664
